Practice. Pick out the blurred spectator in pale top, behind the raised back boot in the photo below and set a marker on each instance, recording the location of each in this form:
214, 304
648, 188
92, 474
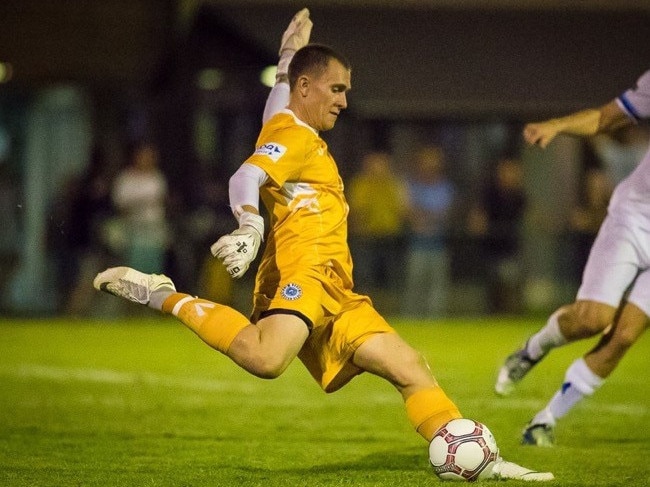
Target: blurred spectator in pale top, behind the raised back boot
140, 194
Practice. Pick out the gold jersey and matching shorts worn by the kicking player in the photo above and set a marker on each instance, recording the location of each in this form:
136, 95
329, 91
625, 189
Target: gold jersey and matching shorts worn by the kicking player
306, 268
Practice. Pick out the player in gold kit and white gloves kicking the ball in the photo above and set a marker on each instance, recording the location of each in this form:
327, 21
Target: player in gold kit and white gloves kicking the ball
304, 303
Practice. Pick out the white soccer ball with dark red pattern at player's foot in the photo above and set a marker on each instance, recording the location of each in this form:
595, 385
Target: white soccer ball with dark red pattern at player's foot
463, 449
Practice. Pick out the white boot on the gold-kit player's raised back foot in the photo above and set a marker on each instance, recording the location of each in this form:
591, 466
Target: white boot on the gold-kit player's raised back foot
133, 285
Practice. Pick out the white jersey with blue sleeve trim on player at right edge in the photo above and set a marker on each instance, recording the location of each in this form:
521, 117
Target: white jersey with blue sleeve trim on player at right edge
631, 198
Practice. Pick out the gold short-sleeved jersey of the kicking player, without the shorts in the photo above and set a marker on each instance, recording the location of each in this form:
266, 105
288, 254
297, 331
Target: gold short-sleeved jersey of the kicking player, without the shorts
305, 201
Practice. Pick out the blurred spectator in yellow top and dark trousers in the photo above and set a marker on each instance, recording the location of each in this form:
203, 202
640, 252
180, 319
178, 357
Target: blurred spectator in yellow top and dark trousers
377, 199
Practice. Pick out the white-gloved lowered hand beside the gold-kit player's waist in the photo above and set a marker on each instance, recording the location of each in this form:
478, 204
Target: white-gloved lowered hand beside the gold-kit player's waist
238, 249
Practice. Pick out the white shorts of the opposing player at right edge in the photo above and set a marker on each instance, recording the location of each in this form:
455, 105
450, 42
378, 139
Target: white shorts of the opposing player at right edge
619, 258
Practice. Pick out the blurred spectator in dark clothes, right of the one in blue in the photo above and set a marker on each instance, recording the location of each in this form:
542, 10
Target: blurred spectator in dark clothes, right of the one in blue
498, 220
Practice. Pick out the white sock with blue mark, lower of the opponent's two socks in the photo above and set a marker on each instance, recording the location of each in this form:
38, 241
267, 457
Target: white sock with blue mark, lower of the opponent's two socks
579, 382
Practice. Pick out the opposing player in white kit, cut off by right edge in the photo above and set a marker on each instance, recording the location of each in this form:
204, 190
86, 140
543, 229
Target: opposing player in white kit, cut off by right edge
614, 298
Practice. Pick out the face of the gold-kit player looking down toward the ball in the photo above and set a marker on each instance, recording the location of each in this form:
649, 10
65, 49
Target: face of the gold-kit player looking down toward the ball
324, 97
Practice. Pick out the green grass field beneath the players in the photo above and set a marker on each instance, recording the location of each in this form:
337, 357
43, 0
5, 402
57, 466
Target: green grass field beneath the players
143, 402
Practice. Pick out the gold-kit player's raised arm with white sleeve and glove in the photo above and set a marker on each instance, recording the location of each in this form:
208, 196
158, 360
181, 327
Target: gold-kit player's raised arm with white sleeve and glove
295, 36
